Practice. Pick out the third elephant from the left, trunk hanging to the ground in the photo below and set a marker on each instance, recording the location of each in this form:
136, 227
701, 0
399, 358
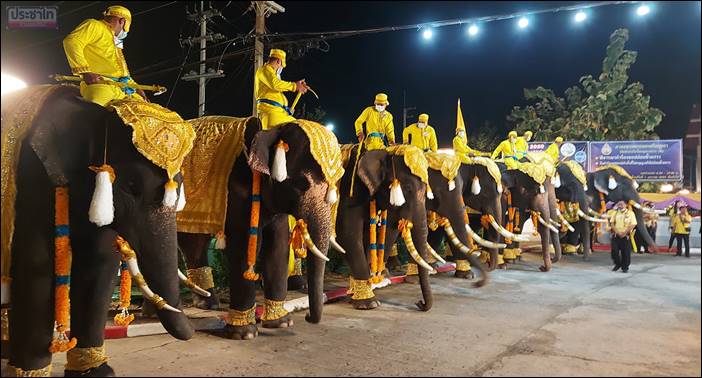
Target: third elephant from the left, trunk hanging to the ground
376, 171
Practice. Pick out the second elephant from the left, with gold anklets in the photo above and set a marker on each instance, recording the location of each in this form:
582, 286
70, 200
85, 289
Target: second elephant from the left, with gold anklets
301, 193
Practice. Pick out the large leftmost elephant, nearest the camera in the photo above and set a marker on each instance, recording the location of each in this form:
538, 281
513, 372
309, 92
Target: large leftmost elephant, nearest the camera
67, 136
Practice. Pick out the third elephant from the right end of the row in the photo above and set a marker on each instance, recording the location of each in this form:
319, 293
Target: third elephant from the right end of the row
528, 194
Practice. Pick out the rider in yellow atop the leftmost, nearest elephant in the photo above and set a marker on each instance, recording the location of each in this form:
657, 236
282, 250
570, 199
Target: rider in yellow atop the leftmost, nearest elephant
94, 51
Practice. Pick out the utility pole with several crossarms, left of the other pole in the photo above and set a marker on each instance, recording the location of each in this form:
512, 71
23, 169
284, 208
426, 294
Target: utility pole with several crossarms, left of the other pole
202, 16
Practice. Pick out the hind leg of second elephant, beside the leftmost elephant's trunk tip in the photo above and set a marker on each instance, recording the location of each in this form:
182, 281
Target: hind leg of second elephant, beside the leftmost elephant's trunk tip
194, 248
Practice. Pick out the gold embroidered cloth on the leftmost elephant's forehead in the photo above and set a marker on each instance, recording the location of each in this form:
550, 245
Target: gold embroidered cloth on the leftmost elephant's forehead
159, 134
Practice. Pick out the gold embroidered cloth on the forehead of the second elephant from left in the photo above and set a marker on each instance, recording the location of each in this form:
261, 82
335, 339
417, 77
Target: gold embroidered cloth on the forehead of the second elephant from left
324, 148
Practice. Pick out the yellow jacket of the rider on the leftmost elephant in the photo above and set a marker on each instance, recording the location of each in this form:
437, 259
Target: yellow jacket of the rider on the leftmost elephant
91, 48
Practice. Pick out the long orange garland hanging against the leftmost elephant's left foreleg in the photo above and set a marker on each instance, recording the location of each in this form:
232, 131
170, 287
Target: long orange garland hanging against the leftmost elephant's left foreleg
62, 271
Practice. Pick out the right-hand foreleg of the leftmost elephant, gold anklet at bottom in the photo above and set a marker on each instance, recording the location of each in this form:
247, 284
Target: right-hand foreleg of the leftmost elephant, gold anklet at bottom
95, 264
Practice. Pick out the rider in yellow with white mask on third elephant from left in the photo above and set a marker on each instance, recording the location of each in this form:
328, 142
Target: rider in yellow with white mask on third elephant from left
379, 126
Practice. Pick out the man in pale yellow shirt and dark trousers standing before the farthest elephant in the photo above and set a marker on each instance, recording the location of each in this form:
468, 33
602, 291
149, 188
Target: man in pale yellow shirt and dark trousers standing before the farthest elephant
621, 223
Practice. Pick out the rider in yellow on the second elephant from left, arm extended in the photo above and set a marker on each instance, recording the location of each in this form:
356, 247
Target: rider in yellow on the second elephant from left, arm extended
271, 103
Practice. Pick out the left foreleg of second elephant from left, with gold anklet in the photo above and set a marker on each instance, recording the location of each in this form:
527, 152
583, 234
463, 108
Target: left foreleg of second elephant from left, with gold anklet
241, 322
